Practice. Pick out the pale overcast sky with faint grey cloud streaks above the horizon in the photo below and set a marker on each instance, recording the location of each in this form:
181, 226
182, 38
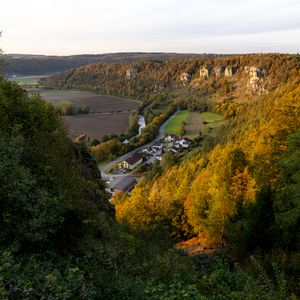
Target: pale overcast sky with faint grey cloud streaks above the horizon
65, 27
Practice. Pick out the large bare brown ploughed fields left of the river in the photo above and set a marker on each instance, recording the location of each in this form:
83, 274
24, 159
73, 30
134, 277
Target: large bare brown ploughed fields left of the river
108, 114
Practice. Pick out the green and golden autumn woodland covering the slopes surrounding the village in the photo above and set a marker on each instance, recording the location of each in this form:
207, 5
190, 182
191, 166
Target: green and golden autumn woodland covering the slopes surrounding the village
239, 195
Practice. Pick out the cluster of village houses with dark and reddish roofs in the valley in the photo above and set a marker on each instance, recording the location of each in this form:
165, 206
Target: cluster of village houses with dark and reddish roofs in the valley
123, 175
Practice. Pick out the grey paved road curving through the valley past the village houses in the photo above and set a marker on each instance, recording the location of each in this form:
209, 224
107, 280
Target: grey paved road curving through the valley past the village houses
121, 158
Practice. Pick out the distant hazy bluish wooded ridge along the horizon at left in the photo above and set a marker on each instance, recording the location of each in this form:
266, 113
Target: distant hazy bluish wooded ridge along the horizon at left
24, 64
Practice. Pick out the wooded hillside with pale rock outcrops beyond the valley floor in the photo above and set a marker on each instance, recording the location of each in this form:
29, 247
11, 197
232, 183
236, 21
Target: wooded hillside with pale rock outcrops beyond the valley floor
220, 77
